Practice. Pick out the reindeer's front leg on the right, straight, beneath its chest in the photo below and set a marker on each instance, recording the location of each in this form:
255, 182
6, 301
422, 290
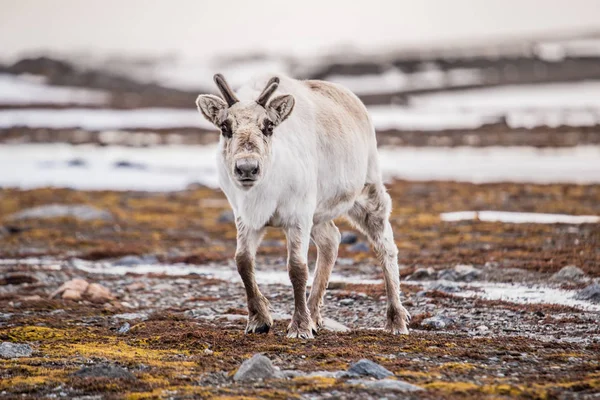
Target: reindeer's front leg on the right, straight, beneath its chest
298, 238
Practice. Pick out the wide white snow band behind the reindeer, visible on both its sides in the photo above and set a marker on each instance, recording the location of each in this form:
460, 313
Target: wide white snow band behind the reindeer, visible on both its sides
174, 167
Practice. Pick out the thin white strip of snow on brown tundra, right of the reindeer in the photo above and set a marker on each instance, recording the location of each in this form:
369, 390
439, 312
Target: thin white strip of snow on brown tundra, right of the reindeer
518, 217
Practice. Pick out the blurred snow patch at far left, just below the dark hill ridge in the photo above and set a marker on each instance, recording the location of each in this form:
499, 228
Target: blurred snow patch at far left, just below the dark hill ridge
31, 90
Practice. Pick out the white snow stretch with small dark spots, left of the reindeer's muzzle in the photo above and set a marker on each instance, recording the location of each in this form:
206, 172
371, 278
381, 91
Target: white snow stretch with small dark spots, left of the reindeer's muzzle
160, 168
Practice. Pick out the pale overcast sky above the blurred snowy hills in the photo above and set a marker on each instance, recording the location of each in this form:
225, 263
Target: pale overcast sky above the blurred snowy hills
200, 28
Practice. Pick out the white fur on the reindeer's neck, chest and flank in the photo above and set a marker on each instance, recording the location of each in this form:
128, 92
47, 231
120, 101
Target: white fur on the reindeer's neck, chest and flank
308, 168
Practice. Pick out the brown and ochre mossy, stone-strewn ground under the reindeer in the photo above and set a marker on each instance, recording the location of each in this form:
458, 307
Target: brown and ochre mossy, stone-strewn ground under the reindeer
134, 295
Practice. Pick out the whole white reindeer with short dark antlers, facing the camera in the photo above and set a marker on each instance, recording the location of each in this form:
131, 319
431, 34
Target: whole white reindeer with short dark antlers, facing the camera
299, 171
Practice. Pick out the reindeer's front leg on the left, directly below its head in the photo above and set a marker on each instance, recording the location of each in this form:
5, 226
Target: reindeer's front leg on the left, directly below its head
259, 318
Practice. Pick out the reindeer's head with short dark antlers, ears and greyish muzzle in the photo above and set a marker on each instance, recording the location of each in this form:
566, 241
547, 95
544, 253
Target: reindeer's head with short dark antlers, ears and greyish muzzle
246, 128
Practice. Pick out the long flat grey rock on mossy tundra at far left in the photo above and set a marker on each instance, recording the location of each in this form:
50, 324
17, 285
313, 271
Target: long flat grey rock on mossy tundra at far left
82, 212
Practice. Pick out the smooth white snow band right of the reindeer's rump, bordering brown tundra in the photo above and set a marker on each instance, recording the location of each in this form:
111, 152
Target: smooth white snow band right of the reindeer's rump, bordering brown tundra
580, 164
